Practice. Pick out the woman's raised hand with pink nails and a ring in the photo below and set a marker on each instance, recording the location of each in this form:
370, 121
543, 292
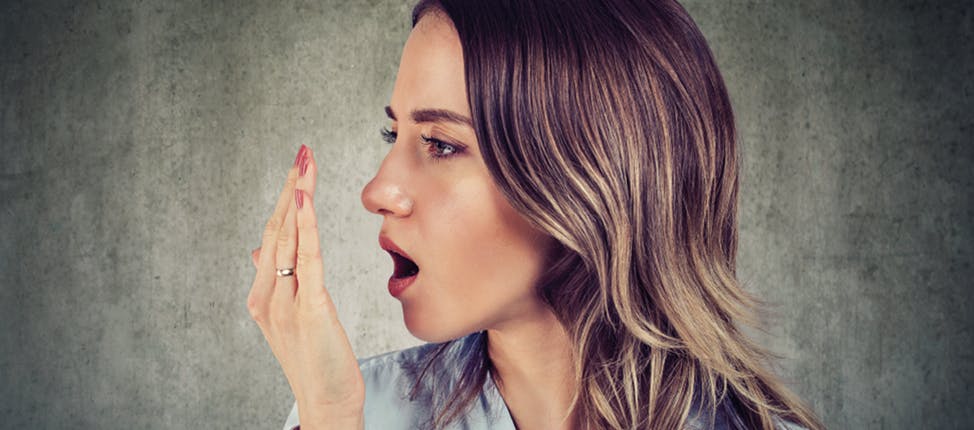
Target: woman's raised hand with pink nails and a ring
296, 314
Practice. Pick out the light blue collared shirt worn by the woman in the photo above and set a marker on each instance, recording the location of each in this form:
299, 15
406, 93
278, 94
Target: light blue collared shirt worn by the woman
390, 377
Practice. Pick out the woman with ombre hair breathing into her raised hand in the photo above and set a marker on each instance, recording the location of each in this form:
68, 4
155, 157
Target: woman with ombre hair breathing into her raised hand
560, 203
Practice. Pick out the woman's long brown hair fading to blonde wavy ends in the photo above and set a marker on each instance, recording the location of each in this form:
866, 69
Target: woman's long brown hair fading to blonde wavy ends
607, 125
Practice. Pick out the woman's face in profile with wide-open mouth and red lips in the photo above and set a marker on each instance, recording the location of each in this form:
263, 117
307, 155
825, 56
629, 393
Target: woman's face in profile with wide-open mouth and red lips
478, 260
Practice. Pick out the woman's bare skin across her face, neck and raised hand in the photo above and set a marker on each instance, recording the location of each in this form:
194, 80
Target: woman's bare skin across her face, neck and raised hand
479, 259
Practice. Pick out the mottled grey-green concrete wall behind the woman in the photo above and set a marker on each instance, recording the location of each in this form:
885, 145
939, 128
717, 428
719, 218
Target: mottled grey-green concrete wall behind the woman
143, 145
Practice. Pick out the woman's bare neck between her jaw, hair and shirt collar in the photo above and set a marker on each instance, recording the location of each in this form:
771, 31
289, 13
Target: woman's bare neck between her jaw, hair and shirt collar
534, 371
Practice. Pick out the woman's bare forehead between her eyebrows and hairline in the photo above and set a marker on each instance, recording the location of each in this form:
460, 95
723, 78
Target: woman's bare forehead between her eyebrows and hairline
431, 68
